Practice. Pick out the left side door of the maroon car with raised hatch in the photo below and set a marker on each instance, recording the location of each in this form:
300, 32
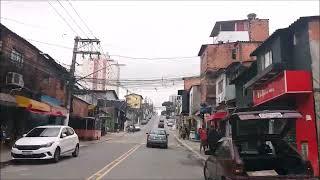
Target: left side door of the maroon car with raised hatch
223, 159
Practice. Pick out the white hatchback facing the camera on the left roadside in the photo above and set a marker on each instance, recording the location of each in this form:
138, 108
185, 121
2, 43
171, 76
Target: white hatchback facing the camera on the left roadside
46, 142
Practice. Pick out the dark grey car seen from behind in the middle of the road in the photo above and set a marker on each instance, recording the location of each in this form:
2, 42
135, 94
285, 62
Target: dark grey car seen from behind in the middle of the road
157, 137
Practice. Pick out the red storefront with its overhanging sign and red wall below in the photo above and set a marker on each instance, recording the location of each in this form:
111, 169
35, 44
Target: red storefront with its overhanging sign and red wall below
296, 87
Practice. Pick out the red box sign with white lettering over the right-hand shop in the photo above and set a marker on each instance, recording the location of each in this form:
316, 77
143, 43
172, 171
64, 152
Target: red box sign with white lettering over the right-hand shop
286, 82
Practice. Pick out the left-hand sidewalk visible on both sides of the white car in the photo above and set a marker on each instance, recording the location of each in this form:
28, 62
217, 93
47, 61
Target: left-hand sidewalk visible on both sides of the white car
6, 151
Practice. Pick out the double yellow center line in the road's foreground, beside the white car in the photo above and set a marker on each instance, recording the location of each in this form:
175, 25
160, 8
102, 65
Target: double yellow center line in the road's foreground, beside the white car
115, 162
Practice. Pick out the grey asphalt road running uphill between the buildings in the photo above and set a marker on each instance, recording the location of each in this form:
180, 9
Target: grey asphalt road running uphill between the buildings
121, 158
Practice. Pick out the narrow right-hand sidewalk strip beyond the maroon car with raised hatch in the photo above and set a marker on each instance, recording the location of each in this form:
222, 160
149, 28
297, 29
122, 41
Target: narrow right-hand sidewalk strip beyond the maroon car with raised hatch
191, 145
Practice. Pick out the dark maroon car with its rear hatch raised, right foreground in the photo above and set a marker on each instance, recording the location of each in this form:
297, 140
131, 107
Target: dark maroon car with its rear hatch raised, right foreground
256, 147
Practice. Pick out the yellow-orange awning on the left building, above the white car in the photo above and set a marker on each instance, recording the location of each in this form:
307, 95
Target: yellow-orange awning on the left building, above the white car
32, 104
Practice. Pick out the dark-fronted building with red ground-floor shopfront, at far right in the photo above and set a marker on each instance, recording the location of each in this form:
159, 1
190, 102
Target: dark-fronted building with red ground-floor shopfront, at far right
288, 76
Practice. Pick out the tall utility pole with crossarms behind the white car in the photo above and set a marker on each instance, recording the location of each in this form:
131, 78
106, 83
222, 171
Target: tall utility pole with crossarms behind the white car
72, 81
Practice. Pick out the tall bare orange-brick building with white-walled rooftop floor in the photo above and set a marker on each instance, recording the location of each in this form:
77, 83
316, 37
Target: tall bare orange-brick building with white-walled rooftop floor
233, 42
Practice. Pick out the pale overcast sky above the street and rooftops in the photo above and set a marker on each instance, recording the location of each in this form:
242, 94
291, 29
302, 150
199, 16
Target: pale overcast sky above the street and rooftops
143, 29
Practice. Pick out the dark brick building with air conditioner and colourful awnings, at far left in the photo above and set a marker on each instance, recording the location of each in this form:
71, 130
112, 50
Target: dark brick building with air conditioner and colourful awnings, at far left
33, 81
